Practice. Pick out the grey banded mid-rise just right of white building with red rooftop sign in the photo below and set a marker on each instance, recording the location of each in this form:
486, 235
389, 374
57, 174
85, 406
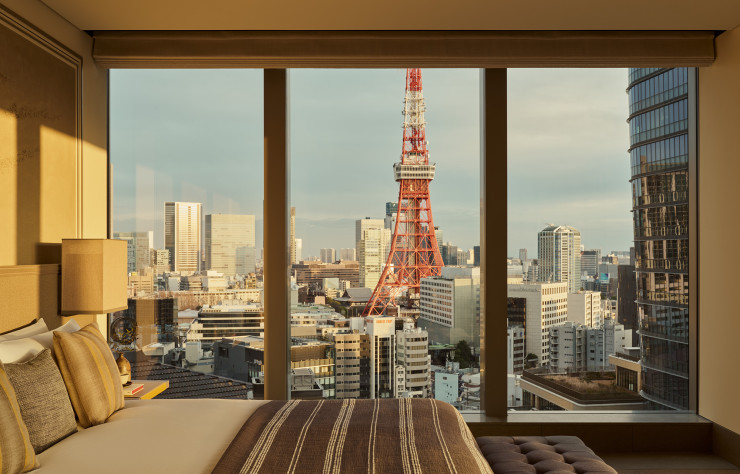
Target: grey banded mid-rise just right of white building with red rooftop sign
412, 353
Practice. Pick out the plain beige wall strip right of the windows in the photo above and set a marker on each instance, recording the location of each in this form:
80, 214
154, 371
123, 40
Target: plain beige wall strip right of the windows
719, 228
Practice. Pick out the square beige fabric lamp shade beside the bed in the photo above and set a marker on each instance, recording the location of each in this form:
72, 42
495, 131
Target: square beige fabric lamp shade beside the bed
94, 276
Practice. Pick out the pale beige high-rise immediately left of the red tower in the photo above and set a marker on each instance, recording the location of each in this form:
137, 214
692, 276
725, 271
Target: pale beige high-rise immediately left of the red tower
372, 243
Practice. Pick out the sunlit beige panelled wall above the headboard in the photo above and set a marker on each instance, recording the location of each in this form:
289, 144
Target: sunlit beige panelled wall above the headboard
53, 131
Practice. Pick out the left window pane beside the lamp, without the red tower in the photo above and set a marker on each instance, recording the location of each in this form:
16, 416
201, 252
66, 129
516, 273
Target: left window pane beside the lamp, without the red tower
186, 164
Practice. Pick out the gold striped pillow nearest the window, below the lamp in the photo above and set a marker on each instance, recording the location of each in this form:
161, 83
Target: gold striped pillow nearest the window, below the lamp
90, 374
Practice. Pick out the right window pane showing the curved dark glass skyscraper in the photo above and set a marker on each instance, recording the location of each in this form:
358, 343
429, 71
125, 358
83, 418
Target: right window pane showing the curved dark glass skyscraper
598, 238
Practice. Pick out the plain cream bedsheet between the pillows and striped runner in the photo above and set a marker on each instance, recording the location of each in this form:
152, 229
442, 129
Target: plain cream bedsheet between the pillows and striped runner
162, 436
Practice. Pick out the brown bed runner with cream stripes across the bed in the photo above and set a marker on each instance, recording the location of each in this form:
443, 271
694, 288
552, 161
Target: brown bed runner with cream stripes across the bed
346, 436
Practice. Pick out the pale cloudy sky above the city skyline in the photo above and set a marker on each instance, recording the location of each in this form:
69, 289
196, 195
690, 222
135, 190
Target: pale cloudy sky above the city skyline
196, 135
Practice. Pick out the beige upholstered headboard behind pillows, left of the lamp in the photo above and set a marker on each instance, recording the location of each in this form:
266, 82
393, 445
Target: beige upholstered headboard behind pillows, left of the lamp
29, 292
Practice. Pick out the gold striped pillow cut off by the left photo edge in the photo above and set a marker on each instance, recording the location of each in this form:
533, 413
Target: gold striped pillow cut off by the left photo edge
15, 445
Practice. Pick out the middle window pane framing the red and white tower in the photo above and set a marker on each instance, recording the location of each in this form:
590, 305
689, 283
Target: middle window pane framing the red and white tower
385, 291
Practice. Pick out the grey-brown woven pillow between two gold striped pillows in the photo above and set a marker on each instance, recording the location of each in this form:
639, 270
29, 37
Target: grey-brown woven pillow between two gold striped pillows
43, 400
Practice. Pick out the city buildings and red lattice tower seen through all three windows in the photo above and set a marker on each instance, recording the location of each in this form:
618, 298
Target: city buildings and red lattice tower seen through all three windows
396, 312
